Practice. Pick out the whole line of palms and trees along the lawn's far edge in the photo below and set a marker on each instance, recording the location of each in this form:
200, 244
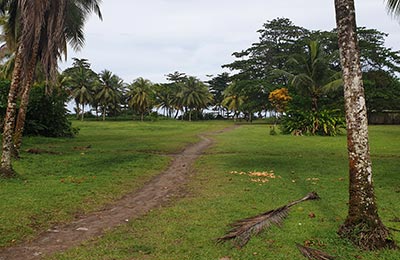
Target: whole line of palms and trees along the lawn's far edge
304, 63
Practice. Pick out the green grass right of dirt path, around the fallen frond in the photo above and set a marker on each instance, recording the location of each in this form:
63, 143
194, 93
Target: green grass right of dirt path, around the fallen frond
216, 197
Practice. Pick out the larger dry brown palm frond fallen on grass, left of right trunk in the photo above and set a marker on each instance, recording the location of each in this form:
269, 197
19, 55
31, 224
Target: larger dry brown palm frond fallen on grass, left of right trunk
242, 230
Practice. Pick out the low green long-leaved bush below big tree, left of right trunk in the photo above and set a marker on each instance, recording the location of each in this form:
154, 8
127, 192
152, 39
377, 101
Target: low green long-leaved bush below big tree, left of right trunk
325, 122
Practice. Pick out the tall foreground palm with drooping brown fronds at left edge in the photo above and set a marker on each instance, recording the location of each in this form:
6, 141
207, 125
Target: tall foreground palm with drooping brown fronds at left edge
40, 37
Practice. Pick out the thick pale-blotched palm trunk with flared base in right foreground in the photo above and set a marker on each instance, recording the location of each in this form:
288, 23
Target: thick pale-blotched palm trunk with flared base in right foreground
363, 226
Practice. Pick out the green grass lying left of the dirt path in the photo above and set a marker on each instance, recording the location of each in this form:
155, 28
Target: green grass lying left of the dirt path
54, 188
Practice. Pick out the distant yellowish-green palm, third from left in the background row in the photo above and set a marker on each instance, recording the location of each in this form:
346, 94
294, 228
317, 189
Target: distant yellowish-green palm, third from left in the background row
140, 95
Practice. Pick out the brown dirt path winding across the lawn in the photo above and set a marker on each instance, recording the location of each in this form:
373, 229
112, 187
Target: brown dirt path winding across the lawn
157, 192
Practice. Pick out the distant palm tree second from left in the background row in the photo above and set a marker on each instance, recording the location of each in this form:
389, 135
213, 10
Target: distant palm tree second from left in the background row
107, 91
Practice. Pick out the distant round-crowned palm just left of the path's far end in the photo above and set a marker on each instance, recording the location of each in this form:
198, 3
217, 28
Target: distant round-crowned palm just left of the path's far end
195, 95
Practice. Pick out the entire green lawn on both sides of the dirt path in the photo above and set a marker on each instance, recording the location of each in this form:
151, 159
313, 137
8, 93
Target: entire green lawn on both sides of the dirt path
124, 155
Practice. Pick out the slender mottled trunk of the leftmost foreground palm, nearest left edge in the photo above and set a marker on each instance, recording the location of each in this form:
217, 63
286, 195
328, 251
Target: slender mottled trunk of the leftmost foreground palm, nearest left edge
6, 169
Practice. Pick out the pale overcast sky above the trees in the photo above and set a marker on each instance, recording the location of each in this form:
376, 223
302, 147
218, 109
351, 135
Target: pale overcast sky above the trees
152, 38
